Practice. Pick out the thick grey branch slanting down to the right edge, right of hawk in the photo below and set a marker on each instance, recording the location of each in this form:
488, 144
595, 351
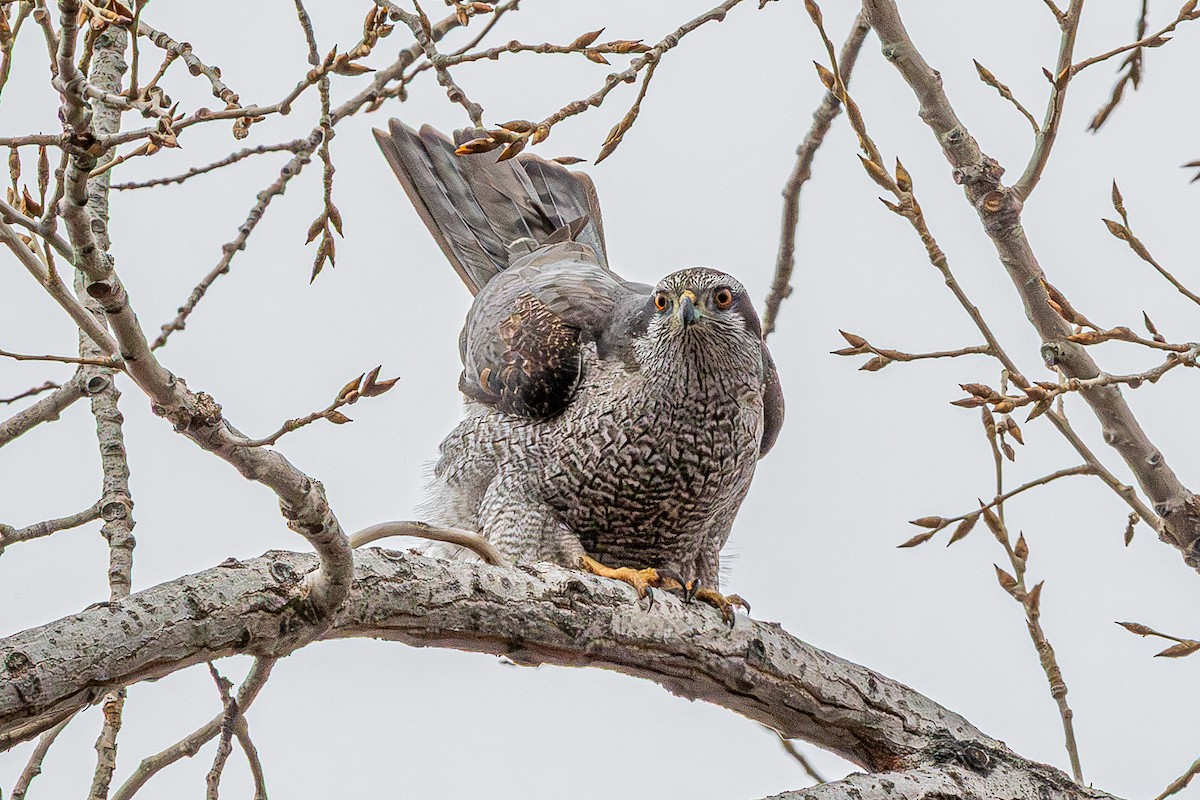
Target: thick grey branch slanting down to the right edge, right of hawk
1000, 210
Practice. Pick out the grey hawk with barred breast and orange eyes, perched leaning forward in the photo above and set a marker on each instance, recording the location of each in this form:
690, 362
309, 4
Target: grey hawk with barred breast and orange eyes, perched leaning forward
609, 425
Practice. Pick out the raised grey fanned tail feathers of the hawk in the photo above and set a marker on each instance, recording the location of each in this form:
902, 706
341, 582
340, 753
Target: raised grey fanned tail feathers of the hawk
485, 214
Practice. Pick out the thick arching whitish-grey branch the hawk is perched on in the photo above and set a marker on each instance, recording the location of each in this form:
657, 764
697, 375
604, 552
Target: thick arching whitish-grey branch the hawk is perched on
539, 615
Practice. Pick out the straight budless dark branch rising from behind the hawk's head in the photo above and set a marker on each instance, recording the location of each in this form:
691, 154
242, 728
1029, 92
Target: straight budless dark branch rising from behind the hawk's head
823, 118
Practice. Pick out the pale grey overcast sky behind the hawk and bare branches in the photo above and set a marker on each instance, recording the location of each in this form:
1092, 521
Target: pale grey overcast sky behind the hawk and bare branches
697, 182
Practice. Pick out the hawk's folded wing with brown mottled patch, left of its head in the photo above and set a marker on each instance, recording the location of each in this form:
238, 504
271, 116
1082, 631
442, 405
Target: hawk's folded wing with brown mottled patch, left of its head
524, 339
